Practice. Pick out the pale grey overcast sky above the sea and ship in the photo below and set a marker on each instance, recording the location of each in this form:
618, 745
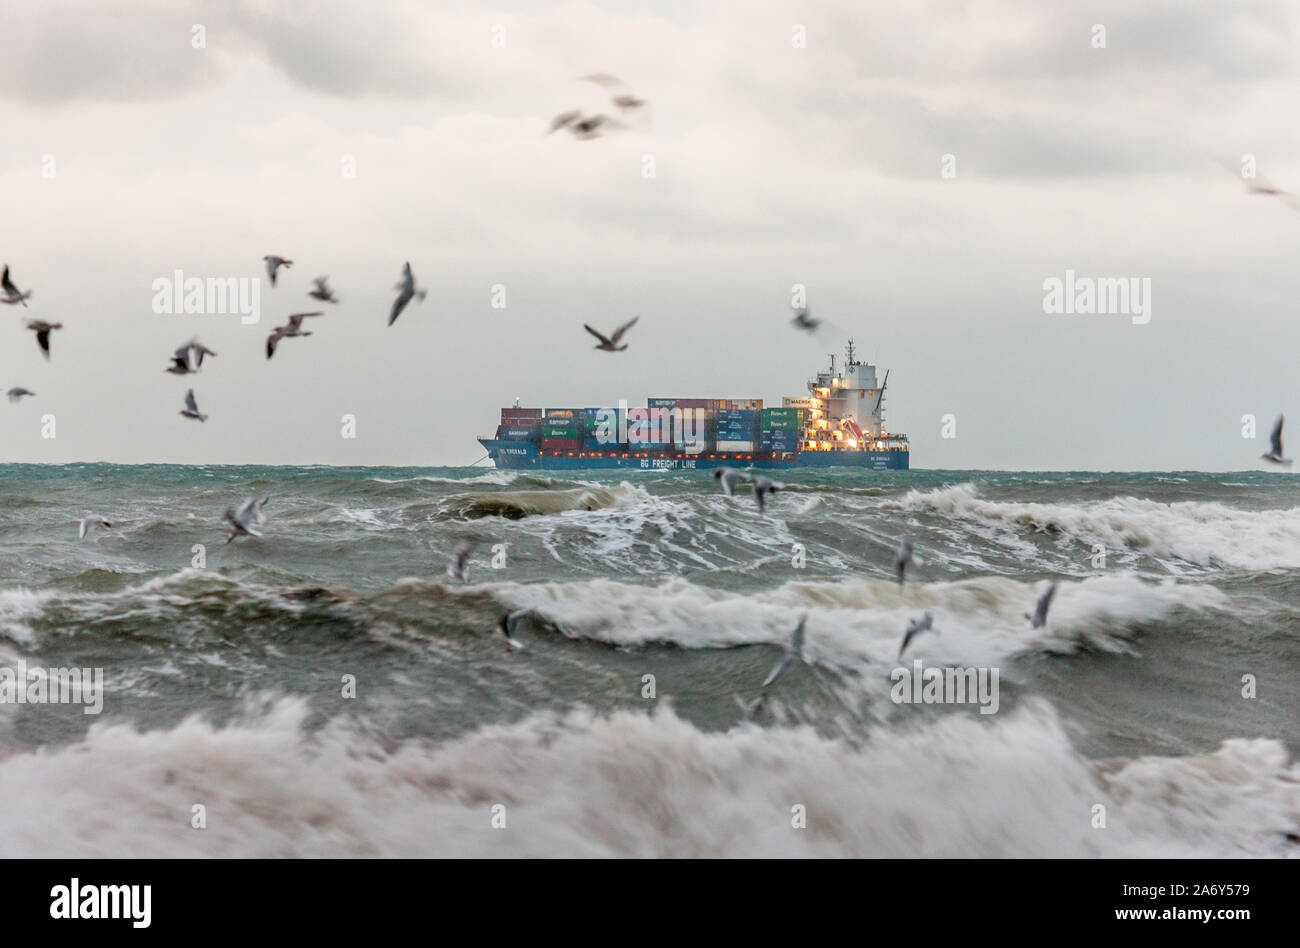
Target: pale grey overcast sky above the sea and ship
773, 166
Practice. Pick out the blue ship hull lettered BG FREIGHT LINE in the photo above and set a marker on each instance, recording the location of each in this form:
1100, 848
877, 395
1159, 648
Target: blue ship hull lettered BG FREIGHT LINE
523, 456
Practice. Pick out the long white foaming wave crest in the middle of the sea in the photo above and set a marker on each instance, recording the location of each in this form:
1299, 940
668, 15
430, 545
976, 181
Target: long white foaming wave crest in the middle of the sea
852, 622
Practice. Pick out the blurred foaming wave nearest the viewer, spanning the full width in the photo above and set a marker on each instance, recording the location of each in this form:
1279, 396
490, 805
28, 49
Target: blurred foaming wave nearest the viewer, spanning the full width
635, 786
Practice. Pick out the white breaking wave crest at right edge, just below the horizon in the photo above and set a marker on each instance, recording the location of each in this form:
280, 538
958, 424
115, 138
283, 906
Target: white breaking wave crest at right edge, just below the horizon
1204, 534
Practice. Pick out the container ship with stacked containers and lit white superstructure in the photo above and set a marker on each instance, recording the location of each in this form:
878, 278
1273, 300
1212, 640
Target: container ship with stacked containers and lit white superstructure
840, 423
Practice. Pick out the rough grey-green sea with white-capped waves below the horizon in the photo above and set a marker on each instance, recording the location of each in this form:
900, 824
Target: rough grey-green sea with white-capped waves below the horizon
1158, 713
